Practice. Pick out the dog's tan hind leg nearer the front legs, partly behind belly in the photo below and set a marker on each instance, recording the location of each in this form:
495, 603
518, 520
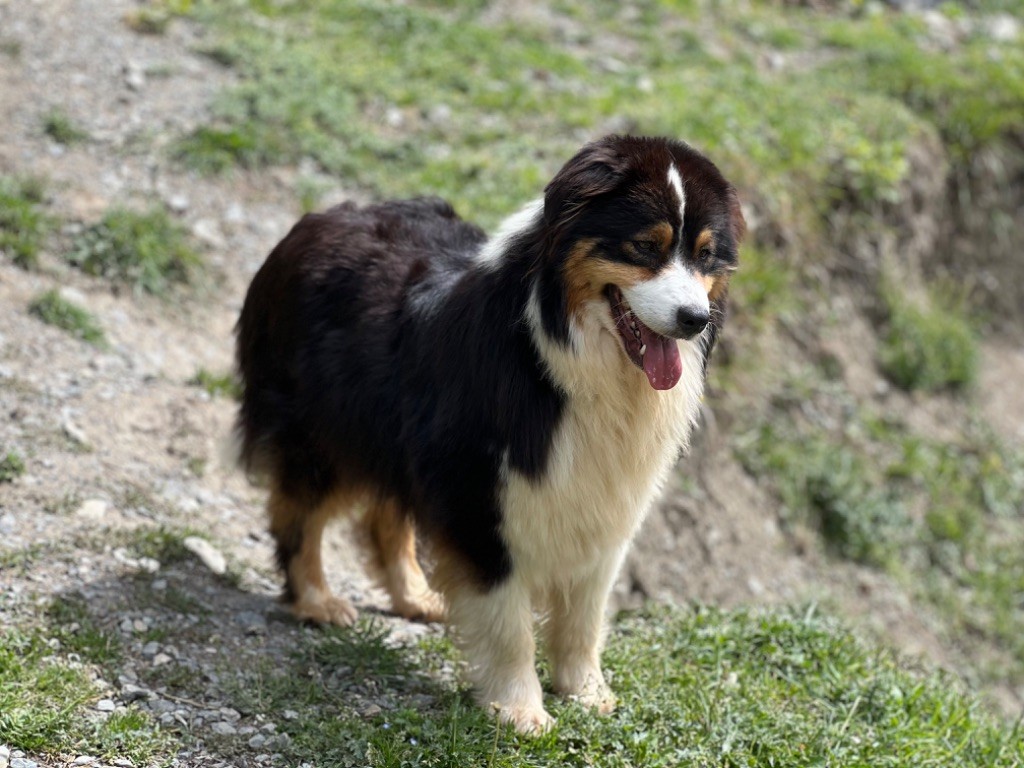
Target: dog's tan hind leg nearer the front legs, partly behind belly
393, 539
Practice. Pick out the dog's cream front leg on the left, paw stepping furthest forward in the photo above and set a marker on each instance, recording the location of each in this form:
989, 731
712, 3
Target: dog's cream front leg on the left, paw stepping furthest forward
495, 631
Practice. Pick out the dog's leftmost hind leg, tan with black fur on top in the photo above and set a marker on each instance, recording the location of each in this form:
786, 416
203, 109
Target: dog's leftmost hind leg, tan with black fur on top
298, 532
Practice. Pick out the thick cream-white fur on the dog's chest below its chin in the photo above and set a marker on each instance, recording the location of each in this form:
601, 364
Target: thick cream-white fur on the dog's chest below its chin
617, 443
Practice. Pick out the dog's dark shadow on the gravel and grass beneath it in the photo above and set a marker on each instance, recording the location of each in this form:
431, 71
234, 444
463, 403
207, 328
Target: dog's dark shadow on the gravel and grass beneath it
225, 670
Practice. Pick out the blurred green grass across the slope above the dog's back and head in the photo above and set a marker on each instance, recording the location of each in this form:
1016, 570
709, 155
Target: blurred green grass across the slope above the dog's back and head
401, 100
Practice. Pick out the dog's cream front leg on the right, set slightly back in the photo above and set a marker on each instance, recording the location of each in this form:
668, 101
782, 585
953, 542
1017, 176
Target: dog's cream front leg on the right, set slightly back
575, 634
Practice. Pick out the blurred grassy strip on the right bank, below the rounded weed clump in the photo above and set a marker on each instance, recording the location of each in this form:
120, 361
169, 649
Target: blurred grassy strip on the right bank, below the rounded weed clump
944, 518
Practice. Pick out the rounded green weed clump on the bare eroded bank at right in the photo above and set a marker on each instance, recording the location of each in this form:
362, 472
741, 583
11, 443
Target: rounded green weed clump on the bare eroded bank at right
930, 344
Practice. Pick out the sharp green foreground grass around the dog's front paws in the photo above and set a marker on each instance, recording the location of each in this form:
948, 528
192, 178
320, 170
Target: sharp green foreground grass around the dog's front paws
696, 688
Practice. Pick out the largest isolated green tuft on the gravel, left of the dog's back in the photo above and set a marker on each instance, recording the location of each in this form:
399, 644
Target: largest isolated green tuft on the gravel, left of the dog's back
149, 251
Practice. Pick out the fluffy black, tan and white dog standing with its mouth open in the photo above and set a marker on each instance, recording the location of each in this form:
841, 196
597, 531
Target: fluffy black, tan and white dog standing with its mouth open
519, 400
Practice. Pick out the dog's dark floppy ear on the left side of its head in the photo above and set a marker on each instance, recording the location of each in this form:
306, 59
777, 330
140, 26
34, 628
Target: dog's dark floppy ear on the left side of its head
596, 169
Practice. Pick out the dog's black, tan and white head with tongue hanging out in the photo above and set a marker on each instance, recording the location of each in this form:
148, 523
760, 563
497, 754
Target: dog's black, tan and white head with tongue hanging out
645, 233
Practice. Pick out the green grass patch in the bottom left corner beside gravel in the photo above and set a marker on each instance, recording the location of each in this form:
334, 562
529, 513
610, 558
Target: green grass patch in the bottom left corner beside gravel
44, 703
